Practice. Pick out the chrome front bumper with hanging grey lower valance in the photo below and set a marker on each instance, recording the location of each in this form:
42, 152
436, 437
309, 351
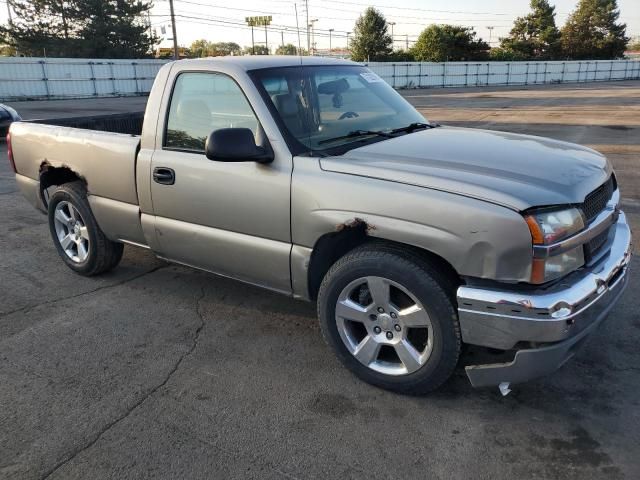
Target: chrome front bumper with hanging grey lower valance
559, 318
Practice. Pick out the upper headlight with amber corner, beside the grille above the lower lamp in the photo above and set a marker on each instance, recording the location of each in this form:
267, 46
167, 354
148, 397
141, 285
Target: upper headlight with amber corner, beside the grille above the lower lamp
551, 226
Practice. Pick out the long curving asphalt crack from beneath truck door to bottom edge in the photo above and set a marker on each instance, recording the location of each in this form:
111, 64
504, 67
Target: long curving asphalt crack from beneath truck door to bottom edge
145, 397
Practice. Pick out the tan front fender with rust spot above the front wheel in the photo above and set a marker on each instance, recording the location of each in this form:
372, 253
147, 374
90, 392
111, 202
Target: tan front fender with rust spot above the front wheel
478, 238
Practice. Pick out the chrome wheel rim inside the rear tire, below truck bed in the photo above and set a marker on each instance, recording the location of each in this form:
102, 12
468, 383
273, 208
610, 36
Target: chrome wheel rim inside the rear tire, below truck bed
72, 232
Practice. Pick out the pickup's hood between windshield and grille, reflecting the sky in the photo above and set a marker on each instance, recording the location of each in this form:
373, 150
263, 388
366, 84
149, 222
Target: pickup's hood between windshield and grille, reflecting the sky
516, 171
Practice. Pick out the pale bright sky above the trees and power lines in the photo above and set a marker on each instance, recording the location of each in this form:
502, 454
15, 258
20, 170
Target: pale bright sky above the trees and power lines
219, 21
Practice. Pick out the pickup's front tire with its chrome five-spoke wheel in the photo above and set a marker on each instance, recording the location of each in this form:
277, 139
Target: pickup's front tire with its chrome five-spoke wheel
387, 317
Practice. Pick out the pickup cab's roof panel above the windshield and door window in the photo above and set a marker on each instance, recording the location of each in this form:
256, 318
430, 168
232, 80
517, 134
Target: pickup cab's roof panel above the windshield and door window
255, 62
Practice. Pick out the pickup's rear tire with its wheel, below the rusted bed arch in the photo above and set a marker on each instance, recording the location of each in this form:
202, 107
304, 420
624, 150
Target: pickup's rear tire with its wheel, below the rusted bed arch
76, 234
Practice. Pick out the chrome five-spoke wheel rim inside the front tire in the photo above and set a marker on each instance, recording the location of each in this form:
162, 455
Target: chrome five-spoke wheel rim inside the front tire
384, 326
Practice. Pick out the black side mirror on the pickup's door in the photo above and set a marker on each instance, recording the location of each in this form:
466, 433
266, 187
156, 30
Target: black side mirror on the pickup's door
235, 145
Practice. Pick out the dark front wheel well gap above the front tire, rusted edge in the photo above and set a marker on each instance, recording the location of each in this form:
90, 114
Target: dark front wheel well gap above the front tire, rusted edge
332, 246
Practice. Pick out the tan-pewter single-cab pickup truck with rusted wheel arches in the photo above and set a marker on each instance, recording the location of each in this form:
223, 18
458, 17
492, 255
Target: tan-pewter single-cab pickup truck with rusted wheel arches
314, 178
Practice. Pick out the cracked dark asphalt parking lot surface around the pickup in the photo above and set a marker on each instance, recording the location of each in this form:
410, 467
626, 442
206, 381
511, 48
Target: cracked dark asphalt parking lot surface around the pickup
159, 371
